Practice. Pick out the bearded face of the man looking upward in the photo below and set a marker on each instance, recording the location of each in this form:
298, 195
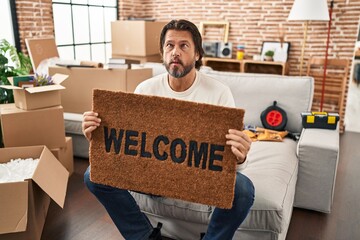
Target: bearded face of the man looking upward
179, 53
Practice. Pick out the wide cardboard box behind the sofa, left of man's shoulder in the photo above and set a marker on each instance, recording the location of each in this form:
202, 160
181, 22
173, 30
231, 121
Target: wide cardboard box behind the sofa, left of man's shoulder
77, 97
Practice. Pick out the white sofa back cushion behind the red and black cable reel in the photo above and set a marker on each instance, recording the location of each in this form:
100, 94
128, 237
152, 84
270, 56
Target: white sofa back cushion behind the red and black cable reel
257, 91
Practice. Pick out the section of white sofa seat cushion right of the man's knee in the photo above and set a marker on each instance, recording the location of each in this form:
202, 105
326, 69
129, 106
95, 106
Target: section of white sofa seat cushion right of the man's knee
273, 168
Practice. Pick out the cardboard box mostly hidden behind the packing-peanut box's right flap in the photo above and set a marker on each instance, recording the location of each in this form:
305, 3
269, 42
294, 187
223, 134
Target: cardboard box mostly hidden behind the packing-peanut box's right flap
65, 155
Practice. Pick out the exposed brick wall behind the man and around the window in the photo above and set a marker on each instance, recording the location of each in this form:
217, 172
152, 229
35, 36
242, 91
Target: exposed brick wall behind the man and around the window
251, 23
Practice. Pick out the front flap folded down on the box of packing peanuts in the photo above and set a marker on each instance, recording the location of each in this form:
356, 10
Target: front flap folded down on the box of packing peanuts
13, 207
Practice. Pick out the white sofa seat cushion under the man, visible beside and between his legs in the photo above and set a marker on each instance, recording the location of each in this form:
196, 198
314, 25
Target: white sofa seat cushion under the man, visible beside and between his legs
273, 169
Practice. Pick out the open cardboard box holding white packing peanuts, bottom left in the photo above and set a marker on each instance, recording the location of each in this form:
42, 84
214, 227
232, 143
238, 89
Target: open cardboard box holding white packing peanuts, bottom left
24, 204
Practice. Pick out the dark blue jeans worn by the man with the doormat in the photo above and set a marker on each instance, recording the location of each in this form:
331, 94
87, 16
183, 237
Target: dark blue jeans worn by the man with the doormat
134, 225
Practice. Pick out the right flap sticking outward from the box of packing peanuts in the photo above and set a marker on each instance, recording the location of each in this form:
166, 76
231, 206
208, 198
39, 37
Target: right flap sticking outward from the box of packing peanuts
52, 177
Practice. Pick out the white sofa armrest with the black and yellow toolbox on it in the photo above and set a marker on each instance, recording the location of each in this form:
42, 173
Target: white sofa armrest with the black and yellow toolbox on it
318, 153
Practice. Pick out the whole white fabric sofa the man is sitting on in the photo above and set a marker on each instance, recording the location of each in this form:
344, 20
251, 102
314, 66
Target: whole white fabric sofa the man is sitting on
285, 174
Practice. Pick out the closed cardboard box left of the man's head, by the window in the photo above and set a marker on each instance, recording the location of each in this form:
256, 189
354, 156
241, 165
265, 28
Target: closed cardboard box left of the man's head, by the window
136, 38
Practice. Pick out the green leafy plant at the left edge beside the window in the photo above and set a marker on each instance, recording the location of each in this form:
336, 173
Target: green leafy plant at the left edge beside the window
20, 64
